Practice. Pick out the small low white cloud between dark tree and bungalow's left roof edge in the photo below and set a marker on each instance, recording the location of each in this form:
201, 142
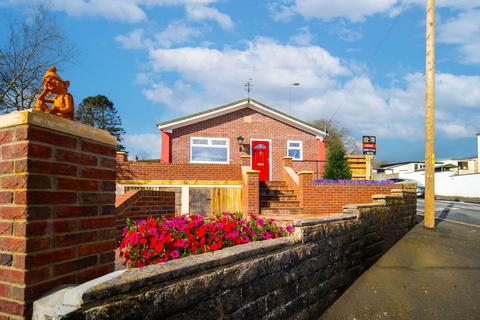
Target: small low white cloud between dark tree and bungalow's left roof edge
146, 145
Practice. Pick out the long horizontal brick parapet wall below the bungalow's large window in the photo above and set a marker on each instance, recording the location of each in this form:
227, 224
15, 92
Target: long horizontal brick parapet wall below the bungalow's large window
154, 170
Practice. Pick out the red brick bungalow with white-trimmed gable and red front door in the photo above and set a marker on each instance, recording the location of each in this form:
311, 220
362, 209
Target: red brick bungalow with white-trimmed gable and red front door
242, 129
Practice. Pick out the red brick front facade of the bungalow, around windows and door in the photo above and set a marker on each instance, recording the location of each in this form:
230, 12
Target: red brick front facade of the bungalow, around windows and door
249, 124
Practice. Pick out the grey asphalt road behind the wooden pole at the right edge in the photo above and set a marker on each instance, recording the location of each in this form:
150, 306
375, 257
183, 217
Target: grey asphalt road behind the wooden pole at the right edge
462, 212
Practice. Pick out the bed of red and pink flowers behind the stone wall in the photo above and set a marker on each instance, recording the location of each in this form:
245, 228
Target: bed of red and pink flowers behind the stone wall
158, 240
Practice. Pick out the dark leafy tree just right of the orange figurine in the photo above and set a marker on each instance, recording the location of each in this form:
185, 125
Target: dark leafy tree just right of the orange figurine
99, 112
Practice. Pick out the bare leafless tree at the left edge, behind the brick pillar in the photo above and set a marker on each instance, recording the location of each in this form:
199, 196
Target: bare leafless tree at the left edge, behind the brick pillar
30, 48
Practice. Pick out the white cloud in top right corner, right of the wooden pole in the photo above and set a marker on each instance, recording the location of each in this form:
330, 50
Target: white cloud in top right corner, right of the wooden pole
464, 31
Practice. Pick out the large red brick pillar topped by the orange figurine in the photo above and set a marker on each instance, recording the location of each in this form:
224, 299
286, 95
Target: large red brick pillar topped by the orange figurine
57, 212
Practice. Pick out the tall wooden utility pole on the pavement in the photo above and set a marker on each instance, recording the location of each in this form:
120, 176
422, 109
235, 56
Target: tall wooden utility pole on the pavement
429, 214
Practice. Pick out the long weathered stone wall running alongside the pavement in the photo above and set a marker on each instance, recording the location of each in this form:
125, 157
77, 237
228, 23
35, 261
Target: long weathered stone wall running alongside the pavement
287, 278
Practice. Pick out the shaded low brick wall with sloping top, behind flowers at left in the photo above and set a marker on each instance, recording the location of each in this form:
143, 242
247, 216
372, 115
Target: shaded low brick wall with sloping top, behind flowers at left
139, 204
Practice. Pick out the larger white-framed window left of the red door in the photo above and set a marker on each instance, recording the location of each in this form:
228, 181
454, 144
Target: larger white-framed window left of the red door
209, 150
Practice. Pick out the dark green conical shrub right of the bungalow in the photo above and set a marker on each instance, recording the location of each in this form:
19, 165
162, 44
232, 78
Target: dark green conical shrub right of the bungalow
337, 167
